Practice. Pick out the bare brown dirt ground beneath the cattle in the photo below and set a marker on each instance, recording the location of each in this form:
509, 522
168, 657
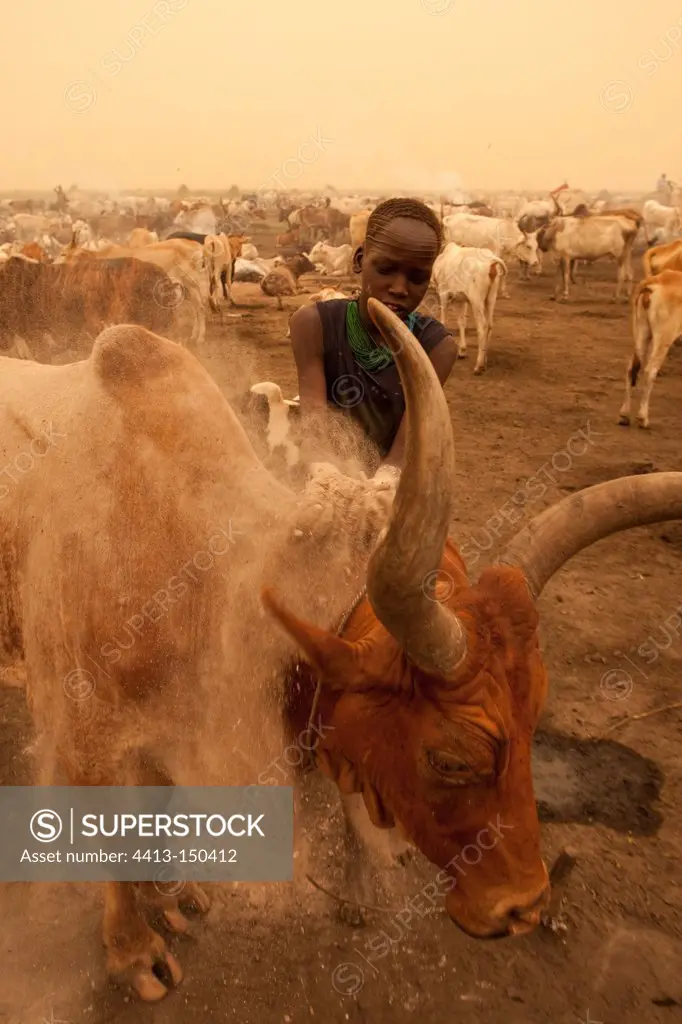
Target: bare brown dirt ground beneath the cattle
555, 370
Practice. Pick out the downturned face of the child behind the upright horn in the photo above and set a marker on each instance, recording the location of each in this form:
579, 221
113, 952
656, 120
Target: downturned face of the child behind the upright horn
397, 266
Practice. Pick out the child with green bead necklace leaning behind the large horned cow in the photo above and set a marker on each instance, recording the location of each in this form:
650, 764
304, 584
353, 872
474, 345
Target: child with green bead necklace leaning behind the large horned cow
340, 357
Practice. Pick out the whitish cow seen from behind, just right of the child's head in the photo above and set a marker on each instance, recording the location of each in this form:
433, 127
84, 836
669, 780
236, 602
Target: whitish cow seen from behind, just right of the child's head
473, 277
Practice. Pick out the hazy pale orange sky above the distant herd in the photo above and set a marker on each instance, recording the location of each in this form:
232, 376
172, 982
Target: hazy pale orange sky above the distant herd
399, 94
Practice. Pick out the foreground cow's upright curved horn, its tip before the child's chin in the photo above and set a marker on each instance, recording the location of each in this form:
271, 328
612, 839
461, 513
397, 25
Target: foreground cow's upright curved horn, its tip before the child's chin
410, 554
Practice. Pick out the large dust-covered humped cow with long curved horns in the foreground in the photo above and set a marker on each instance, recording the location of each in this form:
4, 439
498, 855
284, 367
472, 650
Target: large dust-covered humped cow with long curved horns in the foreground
430, 698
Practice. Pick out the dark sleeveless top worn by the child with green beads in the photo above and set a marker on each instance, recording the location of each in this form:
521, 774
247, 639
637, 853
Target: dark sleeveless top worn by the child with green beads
374, 400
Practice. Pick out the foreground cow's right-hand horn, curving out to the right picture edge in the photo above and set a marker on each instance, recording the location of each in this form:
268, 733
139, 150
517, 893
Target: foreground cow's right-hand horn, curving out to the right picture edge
563, 531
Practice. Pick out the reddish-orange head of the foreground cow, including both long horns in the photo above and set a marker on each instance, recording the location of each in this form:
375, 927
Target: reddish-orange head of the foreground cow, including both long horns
435, 692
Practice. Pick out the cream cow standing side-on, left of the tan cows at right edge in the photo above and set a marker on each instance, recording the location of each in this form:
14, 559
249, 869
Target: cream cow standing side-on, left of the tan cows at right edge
590, 239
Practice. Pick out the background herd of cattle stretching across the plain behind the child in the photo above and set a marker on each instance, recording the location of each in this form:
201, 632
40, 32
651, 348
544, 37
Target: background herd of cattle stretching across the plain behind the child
70, 269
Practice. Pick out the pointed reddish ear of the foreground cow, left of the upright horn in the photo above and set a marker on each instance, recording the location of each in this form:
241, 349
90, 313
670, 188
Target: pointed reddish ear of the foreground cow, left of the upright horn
337, 661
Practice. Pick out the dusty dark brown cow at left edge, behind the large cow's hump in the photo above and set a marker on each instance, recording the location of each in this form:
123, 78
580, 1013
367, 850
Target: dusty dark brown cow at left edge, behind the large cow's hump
57, 308
